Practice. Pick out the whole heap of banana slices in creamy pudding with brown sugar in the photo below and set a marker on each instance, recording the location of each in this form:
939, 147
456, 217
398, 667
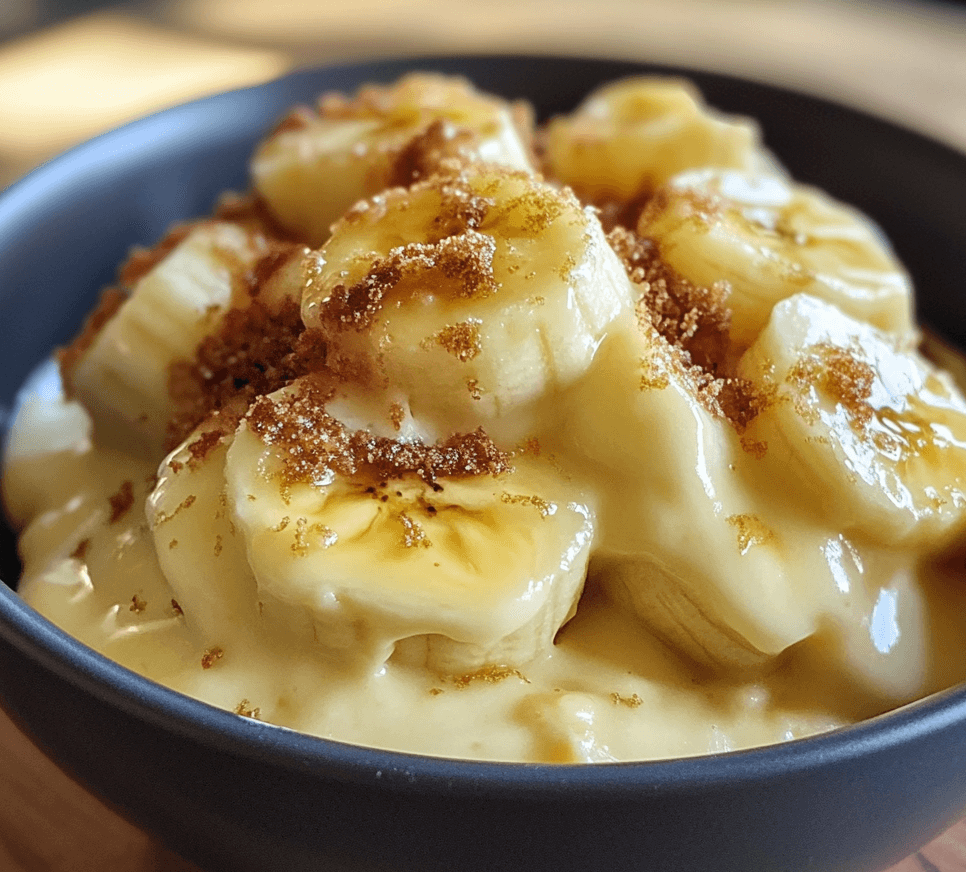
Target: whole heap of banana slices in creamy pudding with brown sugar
454, 434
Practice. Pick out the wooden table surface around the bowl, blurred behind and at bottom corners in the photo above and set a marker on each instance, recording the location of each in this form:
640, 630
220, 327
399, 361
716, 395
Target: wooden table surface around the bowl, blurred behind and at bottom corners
903, 60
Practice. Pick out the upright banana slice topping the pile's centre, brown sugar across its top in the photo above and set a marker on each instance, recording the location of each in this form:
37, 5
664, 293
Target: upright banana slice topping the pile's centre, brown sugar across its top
475, 294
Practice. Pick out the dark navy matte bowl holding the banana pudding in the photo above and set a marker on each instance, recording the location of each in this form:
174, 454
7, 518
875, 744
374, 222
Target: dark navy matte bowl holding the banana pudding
232, 793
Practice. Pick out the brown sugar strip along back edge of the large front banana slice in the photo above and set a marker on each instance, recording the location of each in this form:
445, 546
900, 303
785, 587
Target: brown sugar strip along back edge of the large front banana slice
315, 444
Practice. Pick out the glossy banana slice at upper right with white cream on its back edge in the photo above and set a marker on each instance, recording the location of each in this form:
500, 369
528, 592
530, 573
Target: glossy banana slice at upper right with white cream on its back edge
770, 238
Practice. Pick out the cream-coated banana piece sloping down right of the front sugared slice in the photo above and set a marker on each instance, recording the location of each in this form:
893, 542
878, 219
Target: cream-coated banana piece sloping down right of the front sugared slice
722, 570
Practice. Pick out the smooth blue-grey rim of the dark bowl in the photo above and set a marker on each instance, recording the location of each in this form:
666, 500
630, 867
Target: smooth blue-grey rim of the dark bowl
69, 659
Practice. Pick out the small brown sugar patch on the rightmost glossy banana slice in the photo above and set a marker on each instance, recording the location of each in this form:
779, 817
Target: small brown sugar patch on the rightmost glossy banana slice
841, 375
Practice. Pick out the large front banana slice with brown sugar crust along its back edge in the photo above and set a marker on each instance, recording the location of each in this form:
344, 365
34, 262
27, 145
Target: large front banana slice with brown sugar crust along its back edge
384, 540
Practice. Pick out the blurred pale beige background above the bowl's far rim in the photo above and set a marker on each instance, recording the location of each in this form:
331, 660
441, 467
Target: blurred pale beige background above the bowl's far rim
70, 69
